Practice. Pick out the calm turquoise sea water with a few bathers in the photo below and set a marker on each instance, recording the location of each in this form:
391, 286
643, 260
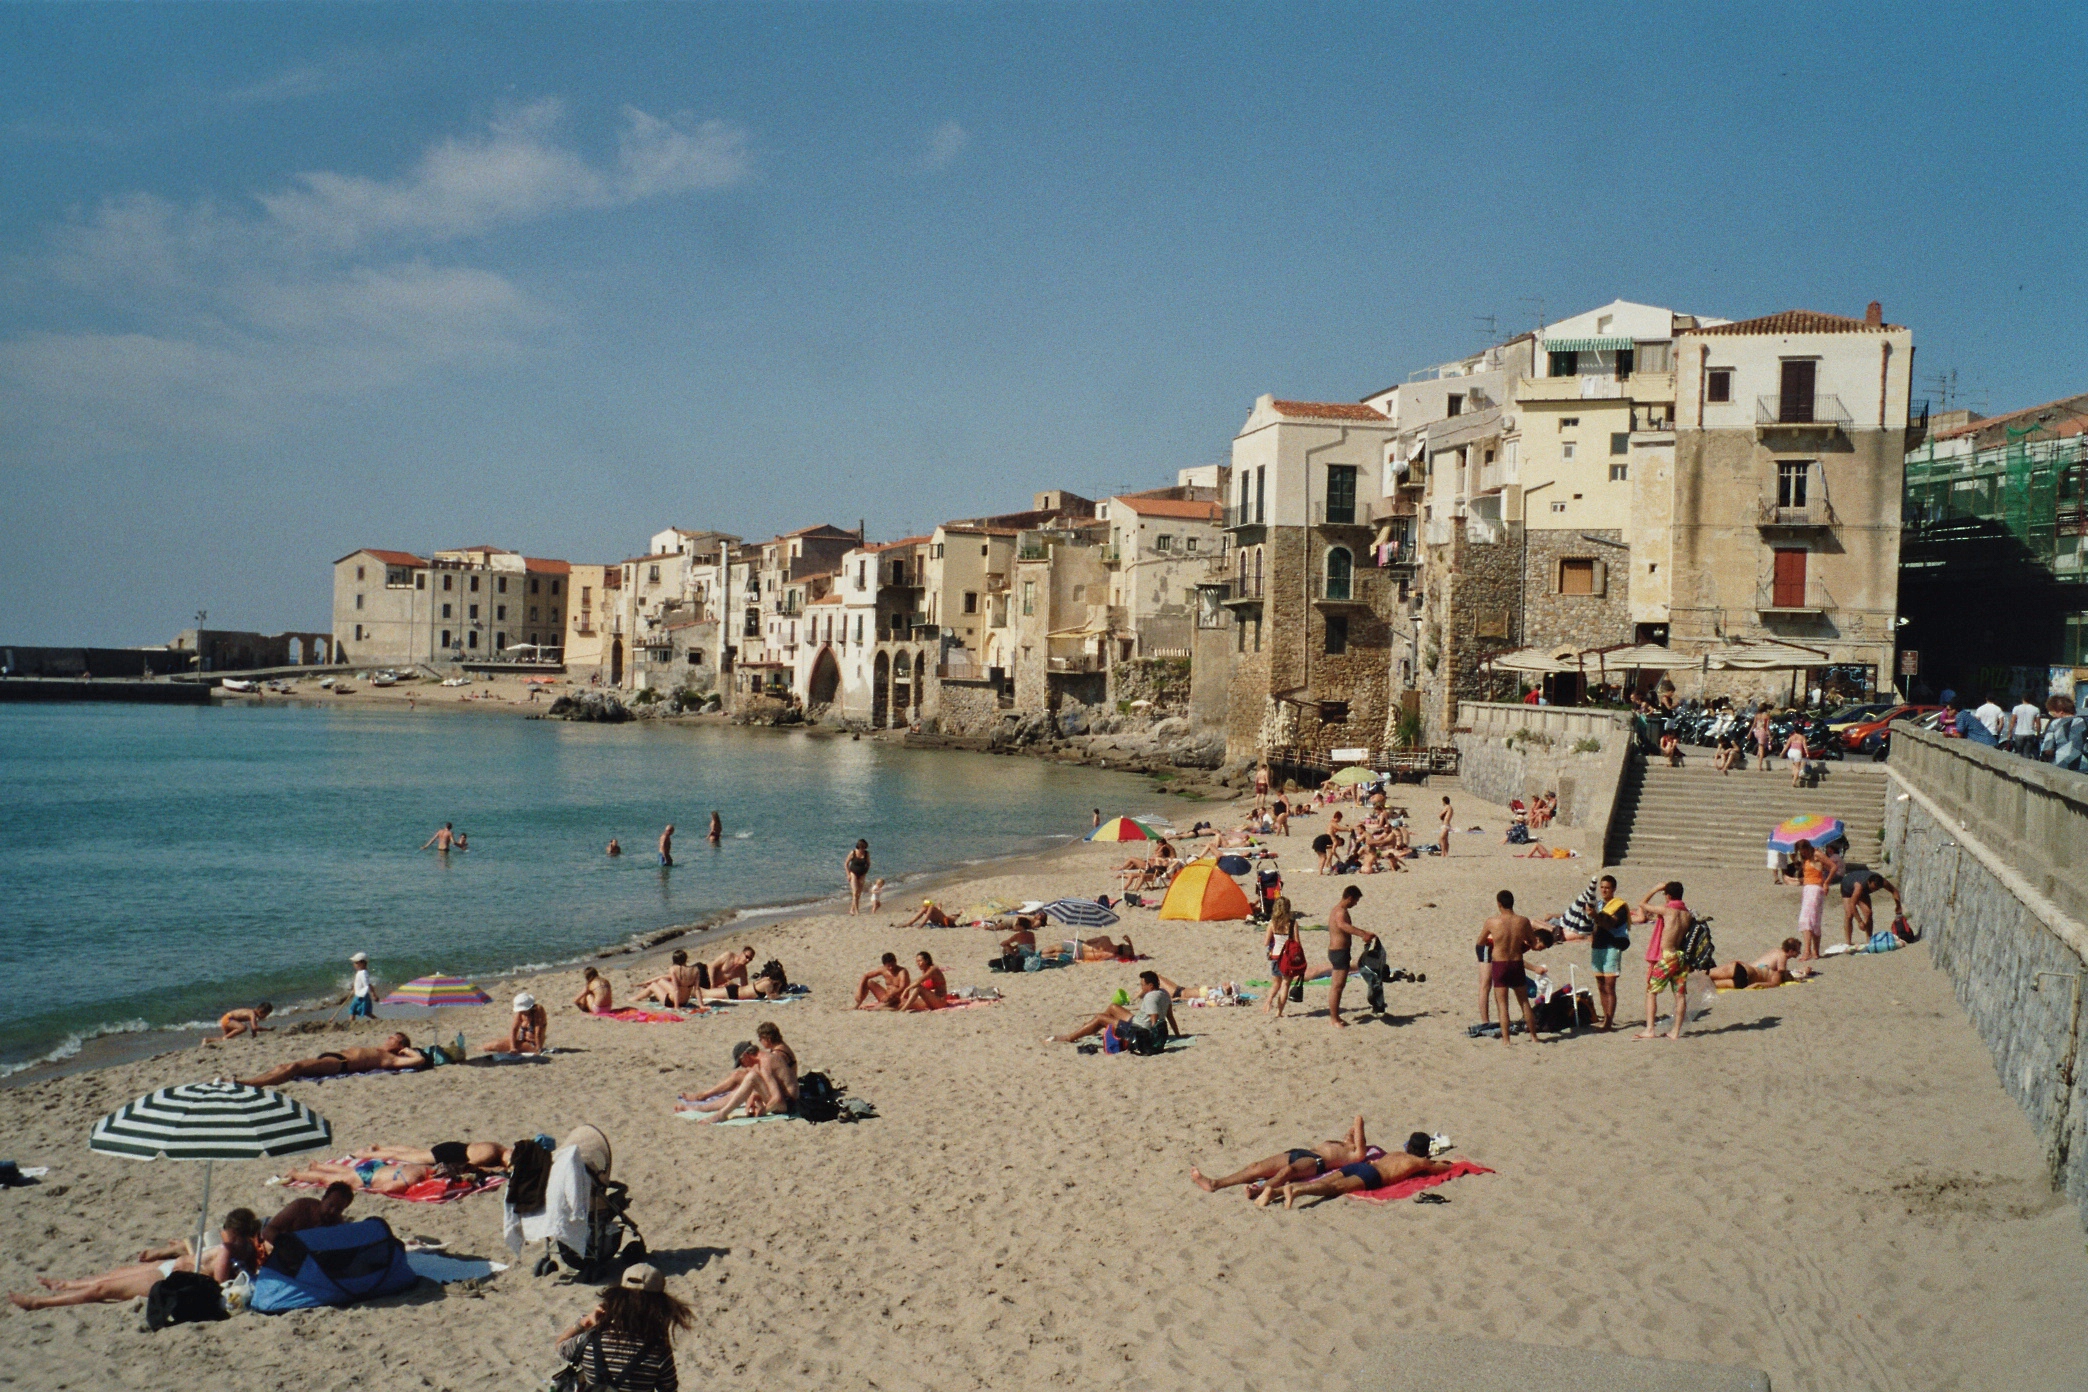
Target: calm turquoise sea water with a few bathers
162, 865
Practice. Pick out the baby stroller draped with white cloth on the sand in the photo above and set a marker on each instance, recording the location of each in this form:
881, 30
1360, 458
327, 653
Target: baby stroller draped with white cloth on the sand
571, 1201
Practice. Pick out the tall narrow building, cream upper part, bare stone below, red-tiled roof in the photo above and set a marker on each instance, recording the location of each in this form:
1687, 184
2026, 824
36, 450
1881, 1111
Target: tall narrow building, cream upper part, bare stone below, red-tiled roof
1312, 613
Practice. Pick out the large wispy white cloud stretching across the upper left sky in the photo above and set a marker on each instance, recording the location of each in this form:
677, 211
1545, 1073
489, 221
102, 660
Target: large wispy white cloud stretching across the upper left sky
222, 320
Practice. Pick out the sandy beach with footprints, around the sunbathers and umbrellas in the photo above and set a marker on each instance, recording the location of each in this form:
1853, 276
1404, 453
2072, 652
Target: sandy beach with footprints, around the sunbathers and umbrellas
1824, 1182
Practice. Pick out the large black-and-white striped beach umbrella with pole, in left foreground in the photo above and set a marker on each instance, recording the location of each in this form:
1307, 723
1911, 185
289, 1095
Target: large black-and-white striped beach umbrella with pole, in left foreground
210, 1122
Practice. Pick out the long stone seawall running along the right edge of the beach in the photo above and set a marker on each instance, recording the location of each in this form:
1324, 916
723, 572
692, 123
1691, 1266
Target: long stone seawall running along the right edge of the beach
1991, 855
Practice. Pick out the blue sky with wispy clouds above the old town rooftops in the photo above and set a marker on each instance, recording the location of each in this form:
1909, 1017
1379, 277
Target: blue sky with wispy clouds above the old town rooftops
281, 283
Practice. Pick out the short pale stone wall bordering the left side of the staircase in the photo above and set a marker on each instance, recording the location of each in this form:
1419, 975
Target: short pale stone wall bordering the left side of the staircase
1509, 752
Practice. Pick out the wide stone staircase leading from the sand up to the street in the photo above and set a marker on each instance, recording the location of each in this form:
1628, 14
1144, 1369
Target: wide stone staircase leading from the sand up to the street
1694, 817
